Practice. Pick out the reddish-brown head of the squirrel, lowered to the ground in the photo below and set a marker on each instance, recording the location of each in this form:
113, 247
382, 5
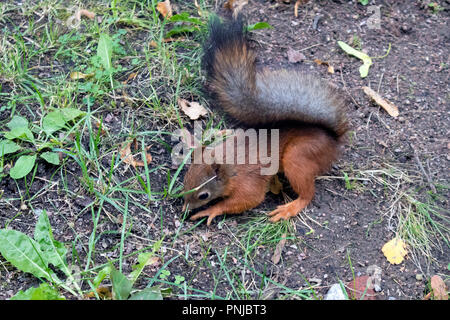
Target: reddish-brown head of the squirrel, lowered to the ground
206, 183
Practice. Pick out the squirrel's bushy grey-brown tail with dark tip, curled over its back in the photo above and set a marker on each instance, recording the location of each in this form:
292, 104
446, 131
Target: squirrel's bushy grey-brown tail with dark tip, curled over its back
266, 97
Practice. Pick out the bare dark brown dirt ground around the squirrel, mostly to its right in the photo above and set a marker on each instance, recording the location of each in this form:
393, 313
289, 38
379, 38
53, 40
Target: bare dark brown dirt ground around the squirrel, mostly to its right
351, 222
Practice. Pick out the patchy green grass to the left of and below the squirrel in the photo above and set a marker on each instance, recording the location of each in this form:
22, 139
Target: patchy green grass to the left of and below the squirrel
117, 61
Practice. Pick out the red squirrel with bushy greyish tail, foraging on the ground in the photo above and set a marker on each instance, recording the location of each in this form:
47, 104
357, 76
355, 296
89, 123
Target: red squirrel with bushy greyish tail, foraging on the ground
308, 112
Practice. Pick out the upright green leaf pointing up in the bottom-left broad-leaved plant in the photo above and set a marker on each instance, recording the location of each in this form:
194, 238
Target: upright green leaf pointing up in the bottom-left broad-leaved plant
54, 251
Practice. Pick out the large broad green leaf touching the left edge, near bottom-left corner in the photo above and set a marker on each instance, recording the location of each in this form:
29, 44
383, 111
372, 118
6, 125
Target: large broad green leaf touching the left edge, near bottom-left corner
23, 253
